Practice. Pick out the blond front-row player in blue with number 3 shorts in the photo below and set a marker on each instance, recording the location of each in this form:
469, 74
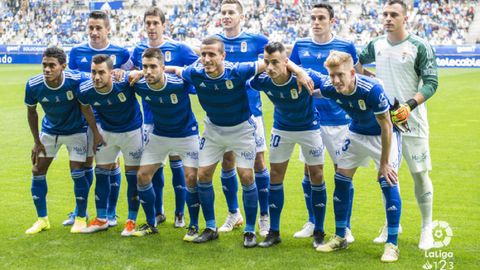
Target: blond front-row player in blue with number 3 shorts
370, 136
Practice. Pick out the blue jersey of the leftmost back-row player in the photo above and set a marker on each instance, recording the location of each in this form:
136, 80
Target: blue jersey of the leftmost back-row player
80, 57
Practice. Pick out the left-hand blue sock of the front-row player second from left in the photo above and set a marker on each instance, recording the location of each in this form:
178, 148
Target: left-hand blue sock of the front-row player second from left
102, 191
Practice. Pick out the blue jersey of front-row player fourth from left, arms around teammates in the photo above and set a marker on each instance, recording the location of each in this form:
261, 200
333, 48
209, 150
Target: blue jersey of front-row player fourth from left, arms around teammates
224, 98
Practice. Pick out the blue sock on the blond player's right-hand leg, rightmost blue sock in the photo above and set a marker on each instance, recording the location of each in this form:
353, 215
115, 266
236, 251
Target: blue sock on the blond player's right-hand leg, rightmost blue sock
393, 207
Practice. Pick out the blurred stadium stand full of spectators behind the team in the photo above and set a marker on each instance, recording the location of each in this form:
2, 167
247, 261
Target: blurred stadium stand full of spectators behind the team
36, 22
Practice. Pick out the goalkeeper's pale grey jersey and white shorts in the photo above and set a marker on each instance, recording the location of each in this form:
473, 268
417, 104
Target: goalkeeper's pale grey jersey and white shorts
405, 69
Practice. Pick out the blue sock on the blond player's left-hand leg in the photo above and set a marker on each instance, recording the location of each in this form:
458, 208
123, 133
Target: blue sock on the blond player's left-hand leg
341, 199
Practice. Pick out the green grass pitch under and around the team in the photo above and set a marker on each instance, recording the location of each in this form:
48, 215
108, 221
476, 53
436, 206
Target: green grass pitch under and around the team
455, 135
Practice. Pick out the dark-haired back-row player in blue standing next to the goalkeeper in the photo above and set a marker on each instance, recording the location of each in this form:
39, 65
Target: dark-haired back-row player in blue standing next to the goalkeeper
312, 53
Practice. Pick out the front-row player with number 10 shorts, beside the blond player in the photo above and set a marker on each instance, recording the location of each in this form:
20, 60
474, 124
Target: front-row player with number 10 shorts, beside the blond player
295, 121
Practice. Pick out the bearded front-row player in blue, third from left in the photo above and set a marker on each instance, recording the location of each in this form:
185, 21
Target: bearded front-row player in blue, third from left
174, 129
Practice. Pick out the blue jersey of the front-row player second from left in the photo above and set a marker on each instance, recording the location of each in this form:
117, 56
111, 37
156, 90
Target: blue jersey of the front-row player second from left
118, 110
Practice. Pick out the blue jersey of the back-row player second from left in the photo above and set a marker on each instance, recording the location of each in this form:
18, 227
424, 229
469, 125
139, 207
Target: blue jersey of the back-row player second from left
175, 54
